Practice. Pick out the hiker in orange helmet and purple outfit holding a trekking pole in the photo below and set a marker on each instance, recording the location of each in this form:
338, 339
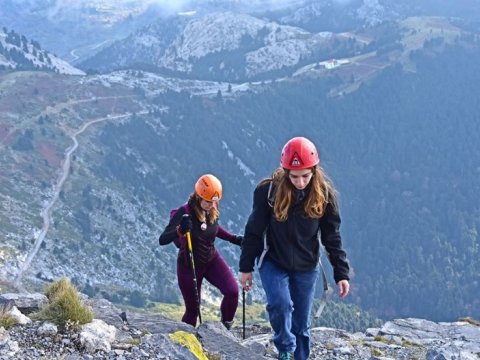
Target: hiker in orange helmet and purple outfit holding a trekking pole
201, 221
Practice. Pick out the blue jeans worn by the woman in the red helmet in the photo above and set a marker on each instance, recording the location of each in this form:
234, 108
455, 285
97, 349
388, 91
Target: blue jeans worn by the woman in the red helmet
289, 302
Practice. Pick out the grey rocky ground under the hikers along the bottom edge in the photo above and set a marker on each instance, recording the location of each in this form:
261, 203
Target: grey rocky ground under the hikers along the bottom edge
151, 336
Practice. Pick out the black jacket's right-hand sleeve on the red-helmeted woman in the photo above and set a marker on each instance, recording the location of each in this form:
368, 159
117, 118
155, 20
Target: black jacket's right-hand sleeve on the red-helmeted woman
332, 241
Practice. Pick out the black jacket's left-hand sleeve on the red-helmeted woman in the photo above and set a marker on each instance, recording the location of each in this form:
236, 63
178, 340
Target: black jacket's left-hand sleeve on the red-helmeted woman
252, 244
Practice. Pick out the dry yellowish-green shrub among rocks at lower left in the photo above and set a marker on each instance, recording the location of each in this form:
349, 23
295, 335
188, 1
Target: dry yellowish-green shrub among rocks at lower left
64, 305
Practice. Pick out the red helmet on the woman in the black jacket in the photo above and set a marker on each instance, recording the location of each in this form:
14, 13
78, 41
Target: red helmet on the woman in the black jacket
299, 153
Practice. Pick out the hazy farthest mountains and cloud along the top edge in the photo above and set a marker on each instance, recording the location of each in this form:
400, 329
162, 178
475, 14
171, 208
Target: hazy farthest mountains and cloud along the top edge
77, 30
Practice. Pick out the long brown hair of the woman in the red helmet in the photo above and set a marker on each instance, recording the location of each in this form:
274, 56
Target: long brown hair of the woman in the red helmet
321, 193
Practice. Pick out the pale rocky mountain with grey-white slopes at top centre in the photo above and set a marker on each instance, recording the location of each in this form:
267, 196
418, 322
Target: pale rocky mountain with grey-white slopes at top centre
223, 46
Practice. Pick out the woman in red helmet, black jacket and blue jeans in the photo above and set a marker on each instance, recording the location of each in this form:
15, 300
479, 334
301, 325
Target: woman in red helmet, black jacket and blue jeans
291, 209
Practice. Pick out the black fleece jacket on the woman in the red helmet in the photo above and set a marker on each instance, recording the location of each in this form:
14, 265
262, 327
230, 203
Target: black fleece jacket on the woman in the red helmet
293, 244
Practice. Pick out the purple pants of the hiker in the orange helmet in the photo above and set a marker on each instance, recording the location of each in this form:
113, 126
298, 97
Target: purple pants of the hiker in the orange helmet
217, 273
